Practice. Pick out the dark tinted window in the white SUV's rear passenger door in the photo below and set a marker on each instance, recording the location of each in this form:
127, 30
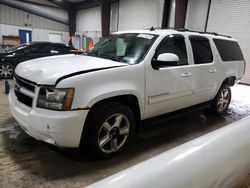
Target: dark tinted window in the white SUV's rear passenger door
201, 50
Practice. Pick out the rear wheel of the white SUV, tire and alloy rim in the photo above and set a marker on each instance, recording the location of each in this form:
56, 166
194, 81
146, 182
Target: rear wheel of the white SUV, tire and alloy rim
222, 100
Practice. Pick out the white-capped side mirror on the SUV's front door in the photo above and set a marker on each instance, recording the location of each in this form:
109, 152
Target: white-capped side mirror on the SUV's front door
164, 60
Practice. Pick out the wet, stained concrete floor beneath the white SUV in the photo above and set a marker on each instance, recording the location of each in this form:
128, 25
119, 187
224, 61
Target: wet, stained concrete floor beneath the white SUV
26, 162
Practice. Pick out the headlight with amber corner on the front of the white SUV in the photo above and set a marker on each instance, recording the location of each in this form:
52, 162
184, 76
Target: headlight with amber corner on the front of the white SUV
55, 99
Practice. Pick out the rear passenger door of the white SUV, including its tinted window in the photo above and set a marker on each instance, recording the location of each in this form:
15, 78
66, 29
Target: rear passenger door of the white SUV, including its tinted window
205, 69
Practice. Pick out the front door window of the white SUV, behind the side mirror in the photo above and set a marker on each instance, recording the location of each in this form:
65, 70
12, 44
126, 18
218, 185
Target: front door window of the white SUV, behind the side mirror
174, 44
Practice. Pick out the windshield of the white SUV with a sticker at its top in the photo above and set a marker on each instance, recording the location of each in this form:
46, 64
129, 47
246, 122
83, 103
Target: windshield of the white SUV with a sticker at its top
128, 48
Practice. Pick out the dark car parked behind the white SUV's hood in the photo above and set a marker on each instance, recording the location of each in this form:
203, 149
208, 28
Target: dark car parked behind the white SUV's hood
15, 55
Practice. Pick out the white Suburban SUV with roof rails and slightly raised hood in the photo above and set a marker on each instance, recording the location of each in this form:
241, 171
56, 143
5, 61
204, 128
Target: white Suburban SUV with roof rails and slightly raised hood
99, 98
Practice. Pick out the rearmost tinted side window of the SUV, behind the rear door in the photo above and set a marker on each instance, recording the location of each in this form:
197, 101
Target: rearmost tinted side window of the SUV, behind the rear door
228, 50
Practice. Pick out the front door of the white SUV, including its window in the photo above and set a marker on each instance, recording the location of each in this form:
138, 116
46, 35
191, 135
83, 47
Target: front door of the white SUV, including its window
169, 88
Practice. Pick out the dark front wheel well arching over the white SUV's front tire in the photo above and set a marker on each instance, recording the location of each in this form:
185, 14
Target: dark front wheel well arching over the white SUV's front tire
130, 101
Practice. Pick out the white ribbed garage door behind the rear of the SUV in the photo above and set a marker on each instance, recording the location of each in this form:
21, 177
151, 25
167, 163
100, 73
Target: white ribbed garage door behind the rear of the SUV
232, 18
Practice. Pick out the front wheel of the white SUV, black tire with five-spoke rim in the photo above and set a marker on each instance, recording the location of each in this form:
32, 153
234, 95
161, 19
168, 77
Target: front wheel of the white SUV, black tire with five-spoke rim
100, 138
